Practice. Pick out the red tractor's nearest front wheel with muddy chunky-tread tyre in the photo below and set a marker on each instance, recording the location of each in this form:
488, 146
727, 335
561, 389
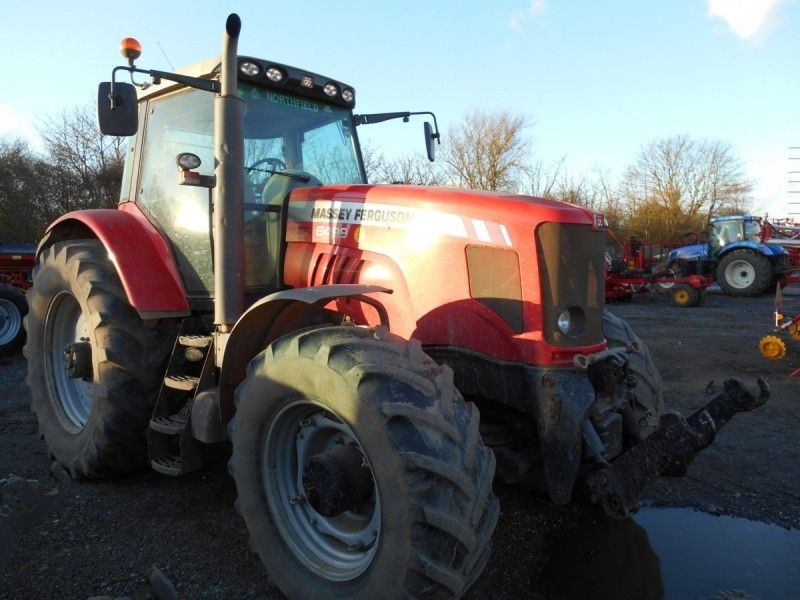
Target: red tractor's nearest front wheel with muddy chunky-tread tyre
360, 470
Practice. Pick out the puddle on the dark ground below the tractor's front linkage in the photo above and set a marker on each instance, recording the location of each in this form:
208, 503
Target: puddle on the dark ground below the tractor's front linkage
673, 553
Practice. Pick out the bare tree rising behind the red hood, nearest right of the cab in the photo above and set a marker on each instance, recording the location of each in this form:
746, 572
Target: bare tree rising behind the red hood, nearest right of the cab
488, 151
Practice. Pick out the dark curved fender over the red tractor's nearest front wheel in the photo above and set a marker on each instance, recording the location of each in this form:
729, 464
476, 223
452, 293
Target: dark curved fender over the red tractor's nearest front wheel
276, 315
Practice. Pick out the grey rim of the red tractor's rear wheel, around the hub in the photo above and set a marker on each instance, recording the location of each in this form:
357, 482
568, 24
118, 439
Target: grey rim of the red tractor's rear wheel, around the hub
66, 324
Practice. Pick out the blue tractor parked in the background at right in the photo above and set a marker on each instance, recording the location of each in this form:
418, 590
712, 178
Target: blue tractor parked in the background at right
736, 254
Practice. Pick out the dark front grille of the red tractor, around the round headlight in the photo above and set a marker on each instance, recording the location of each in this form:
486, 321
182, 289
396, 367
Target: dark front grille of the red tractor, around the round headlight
572, 274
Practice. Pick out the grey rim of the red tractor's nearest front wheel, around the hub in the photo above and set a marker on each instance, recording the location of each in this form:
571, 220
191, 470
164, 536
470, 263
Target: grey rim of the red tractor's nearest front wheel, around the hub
338, 548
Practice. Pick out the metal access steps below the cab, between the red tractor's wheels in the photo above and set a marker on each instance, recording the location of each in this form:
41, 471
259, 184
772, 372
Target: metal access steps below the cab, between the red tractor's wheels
170, 443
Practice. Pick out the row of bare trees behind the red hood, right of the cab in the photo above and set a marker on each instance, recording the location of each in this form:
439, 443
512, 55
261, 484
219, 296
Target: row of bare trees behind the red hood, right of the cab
671, 188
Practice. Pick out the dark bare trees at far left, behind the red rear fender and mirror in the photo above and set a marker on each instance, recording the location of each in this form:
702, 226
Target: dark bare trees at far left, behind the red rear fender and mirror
76, 168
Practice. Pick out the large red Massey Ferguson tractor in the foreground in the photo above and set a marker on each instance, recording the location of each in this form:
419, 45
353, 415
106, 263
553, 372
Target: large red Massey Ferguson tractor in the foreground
374, 354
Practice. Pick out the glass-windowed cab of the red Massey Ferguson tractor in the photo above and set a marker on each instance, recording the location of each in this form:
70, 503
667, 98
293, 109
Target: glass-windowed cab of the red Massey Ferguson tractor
298, 131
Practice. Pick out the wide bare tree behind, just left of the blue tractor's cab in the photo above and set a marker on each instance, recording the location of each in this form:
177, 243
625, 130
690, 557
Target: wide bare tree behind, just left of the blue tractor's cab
678, 183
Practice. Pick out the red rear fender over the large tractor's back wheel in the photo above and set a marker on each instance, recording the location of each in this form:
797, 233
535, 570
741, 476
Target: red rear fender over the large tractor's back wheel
140, 254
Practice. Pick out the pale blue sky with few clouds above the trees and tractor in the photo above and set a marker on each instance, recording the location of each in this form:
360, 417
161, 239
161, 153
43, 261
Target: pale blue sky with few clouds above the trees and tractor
596, 80
